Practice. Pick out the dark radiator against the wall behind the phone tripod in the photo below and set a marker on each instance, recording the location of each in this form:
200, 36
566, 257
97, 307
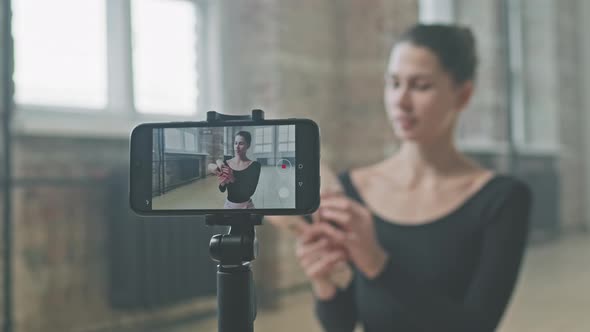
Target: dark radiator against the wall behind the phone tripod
156, 261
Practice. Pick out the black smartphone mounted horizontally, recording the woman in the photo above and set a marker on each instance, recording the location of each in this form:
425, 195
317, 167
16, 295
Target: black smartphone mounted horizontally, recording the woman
268, 167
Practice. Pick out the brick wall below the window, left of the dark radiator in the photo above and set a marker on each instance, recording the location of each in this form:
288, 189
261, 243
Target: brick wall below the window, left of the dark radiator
61, 278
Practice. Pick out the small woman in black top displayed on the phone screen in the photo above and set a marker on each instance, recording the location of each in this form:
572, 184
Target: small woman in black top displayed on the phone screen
239, 175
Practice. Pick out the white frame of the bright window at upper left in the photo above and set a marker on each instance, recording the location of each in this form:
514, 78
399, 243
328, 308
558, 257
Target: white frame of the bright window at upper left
119, 116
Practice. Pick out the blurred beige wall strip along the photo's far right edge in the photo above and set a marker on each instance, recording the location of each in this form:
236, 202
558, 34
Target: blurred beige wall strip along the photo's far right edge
570, 42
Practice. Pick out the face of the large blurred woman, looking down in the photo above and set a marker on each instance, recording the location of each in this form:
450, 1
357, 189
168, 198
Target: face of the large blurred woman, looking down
421, 98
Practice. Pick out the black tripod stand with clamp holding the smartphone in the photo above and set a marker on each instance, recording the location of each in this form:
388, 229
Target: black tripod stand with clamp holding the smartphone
236, 296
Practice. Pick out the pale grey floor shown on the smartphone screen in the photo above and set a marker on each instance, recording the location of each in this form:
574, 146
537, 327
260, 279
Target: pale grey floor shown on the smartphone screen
204, 194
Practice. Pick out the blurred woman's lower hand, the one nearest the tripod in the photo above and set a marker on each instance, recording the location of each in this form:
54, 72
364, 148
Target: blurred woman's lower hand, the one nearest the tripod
318, 256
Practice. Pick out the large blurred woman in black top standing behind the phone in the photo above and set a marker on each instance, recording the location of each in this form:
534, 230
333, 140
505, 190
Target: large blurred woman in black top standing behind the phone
434, 240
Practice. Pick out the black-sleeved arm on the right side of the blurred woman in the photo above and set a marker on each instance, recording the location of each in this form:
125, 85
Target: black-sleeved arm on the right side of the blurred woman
492, 286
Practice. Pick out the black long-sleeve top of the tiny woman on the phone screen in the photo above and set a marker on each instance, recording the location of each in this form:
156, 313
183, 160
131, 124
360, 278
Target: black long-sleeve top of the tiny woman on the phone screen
244, 185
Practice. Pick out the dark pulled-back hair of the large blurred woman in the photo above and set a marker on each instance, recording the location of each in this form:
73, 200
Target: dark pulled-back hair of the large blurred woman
453, 45
